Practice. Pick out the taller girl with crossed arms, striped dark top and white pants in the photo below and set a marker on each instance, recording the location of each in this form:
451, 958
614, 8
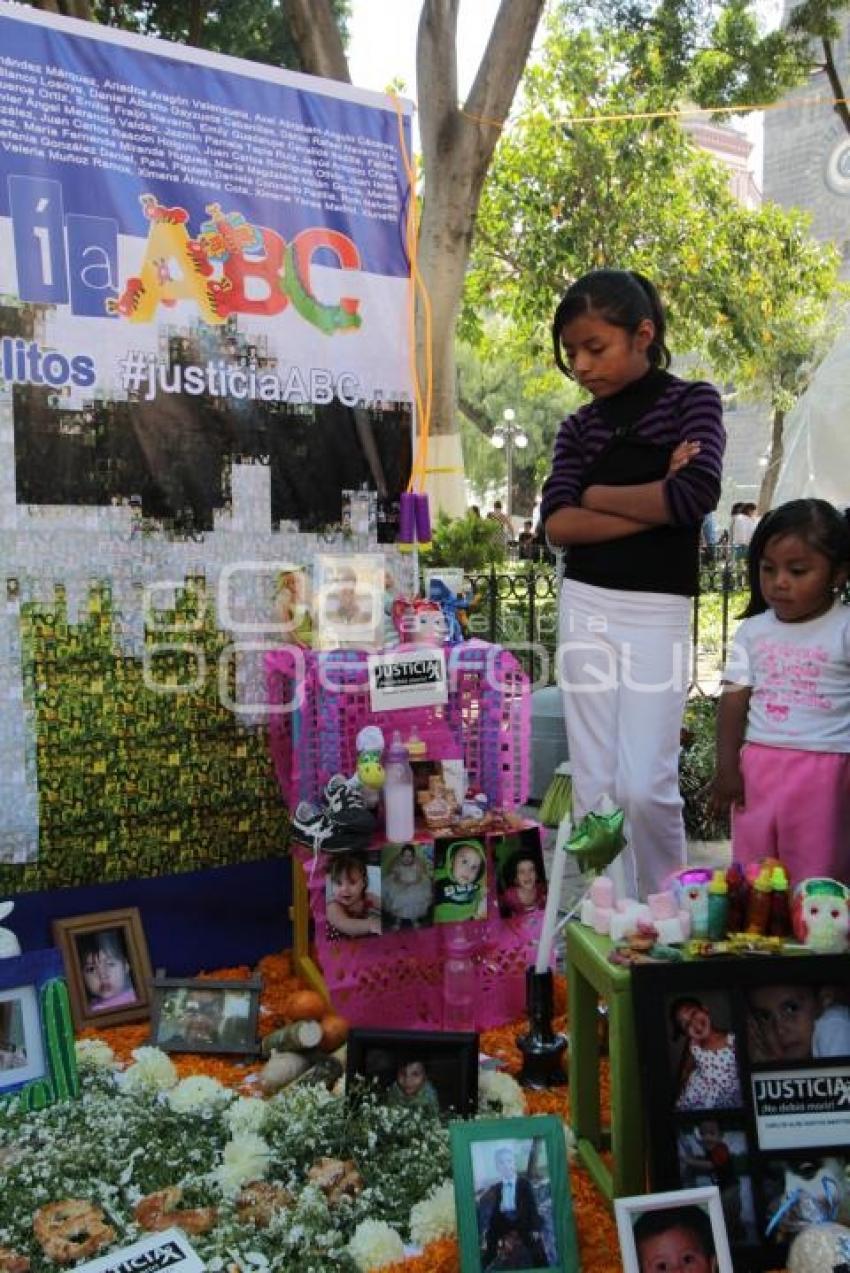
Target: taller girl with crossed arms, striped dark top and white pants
634, 474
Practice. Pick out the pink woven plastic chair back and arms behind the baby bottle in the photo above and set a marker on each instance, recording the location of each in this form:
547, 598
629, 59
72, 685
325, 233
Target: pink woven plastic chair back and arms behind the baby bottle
320, 702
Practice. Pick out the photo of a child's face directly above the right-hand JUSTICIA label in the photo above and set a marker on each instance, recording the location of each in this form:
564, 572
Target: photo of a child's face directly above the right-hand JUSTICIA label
797, 1023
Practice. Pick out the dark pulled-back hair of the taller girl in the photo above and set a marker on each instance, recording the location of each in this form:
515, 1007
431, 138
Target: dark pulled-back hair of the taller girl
622, 297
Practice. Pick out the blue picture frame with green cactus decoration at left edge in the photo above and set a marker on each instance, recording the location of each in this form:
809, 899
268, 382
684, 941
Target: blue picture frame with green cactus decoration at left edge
38, 1061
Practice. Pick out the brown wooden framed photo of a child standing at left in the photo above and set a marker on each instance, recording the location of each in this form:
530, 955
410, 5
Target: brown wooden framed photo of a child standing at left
108, 967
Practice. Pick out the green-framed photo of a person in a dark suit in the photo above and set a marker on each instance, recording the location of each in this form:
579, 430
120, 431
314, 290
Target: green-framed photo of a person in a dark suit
512, 1195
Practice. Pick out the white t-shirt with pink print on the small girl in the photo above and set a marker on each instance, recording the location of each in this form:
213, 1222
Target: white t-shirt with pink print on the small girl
800, 675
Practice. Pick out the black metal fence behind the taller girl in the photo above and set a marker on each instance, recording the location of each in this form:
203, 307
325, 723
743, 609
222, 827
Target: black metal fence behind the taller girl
517, 607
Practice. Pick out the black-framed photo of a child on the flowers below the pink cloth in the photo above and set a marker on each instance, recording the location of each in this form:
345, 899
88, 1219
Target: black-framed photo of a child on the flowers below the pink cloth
418, 1069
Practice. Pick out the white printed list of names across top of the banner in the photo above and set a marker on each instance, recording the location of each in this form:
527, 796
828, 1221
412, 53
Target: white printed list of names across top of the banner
52, 114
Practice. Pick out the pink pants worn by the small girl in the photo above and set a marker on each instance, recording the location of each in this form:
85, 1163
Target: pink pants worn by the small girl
797, 810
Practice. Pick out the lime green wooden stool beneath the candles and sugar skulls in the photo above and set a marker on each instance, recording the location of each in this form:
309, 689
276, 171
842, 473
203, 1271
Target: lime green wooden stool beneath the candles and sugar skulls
592, 978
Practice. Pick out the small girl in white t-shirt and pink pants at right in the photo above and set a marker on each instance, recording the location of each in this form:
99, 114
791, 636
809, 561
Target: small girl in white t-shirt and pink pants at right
784, 720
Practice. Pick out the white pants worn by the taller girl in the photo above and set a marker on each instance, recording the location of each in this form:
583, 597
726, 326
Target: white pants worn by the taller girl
624, 672
